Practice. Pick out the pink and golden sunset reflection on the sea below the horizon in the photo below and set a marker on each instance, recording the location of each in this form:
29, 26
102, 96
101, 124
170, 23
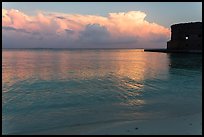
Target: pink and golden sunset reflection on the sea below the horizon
130, 66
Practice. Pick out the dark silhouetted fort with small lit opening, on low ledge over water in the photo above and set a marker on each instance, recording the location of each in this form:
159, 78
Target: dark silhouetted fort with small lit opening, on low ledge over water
185, 37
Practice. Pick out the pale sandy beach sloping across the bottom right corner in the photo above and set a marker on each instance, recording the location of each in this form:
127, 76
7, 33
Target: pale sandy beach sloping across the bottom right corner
183, 125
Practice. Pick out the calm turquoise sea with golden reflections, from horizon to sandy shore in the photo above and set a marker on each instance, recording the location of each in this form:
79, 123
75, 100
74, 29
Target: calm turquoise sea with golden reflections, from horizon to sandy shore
50, 89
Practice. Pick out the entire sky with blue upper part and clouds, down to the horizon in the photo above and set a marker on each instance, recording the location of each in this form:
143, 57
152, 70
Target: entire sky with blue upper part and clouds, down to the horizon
93, 24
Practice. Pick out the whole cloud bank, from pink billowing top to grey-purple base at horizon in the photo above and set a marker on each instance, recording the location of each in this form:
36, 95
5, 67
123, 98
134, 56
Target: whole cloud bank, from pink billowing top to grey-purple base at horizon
60, 30
